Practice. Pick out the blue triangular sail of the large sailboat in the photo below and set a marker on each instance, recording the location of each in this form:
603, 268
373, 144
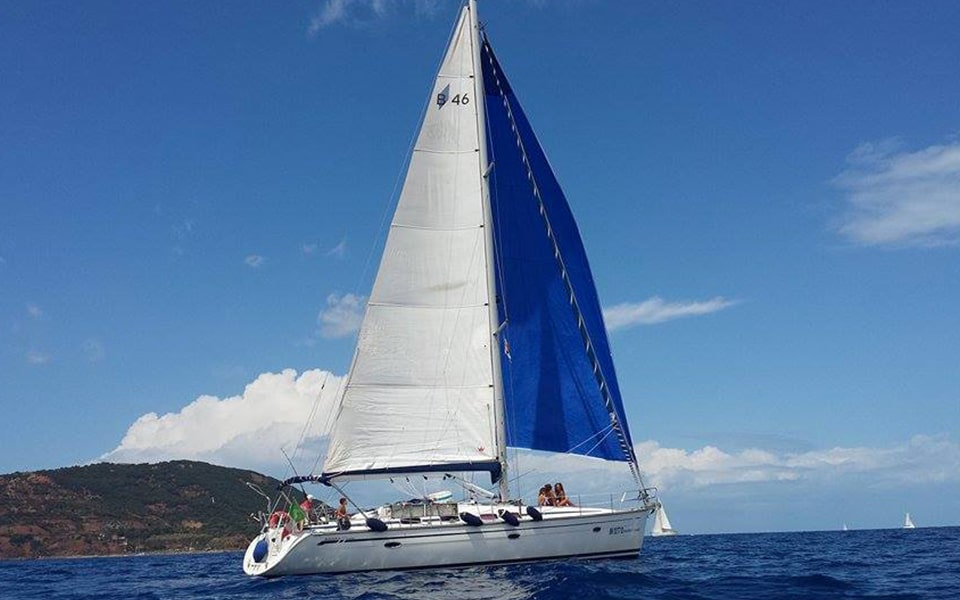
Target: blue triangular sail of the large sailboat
559, 384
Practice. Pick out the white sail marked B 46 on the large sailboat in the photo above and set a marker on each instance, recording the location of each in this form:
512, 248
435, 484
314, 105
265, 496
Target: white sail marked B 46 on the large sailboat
420, 394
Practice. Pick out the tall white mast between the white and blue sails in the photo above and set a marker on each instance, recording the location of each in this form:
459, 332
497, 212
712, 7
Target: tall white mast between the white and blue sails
498, 403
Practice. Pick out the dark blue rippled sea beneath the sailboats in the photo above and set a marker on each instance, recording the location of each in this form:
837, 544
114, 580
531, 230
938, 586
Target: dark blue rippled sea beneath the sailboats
888, 564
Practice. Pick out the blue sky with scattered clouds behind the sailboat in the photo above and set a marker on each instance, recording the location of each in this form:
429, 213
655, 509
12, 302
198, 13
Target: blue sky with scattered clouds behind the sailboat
193, 198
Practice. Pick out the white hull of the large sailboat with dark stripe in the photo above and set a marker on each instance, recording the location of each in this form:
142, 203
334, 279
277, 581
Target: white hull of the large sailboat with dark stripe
562, 534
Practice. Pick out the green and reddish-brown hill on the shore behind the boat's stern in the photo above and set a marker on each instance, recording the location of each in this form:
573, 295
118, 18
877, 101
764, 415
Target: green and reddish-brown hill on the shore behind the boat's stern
115, 509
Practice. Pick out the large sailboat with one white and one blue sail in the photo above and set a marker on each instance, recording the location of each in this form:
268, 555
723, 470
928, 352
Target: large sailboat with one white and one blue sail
483, 331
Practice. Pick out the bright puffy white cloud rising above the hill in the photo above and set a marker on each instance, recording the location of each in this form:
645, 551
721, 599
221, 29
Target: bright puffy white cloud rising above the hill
277, 410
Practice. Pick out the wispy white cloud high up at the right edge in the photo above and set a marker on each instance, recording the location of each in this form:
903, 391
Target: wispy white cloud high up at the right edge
901, 198
